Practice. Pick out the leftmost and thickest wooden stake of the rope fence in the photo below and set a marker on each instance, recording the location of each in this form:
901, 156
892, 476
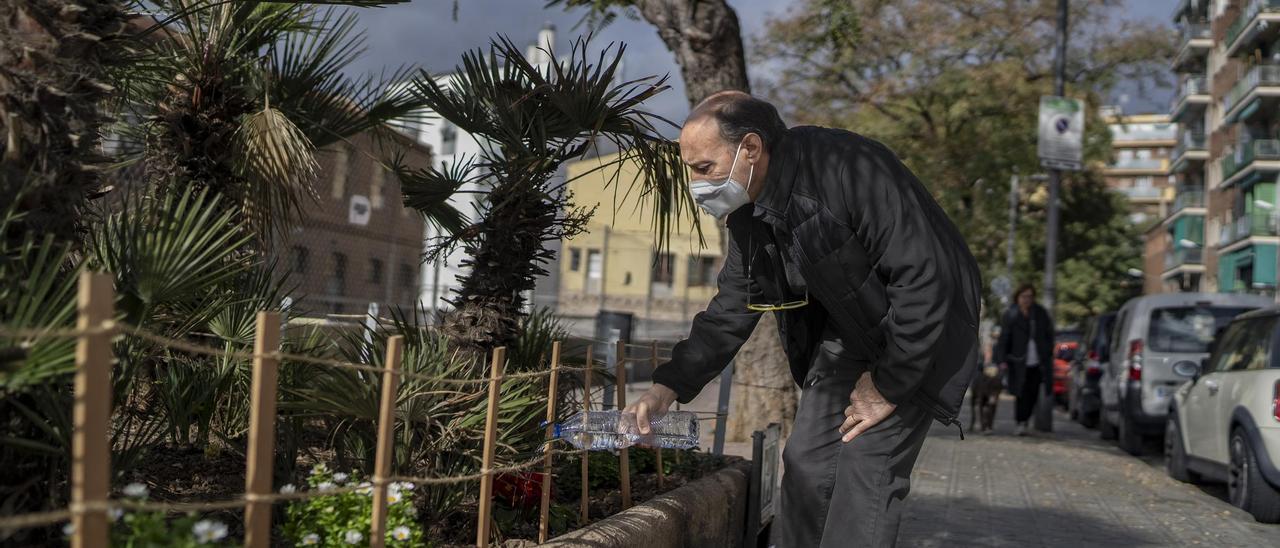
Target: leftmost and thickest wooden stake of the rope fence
92, 451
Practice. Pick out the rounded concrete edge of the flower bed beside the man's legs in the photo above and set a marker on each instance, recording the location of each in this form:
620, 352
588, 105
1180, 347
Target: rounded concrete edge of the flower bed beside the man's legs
707, 513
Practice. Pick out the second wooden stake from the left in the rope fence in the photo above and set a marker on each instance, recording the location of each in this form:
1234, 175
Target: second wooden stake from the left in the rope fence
262, 432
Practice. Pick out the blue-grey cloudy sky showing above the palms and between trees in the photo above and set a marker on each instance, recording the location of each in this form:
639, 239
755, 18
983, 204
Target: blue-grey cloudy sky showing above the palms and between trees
424, 34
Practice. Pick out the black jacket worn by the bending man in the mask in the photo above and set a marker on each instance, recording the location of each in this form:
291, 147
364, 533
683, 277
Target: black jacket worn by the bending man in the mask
885, 268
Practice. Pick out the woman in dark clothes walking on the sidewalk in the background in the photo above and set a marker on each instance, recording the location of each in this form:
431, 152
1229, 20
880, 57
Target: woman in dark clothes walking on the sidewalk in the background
1026, 351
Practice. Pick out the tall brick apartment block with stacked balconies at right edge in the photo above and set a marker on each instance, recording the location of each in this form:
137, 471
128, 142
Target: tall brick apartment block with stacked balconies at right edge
1222, 232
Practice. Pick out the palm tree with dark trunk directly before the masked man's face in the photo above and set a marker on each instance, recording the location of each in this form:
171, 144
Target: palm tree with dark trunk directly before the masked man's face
529, 122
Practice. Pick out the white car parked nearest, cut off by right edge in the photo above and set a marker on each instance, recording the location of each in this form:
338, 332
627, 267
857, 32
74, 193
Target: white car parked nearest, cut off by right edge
1226, 423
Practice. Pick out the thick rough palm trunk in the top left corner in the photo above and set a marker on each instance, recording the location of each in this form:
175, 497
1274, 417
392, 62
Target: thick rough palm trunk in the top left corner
52, 81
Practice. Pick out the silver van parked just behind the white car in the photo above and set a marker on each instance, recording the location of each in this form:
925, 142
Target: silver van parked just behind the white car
1151, 335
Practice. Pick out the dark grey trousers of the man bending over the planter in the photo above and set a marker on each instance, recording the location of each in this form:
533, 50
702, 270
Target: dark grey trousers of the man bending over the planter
845, 495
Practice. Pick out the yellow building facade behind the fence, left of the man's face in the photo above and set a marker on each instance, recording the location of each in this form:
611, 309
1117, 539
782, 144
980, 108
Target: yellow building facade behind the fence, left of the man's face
616, 264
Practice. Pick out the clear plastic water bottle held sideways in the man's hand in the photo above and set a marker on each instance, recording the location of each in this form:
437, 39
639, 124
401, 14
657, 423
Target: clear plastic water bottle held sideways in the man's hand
609, 431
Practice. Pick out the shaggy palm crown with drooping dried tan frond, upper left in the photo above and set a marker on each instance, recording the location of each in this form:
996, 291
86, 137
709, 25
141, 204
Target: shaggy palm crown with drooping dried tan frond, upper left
237, 98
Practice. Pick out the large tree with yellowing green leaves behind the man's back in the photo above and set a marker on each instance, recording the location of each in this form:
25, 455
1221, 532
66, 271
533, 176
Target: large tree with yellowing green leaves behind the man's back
954, 88
